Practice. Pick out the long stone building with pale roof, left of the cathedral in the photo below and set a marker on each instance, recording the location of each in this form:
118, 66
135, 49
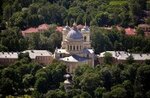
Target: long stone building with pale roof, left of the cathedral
40, 56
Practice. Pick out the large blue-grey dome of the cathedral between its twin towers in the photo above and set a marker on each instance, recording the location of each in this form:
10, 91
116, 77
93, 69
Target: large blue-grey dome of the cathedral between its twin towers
74, 34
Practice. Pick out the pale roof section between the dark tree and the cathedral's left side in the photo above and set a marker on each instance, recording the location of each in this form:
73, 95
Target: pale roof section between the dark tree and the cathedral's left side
34, 53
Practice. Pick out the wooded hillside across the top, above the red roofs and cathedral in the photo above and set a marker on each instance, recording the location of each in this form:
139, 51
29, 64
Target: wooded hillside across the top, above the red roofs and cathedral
27, 13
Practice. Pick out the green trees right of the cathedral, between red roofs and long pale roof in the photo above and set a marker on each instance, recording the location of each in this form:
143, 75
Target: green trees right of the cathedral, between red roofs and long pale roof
114, 40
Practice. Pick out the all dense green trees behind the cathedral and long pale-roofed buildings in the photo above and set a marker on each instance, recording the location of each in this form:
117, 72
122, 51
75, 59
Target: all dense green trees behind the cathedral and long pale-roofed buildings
17, 15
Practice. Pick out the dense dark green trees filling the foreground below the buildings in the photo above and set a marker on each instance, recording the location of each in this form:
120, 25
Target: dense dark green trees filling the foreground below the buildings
104, 81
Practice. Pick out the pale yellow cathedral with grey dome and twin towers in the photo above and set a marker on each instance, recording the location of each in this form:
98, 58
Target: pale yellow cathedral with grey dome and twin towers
75, 47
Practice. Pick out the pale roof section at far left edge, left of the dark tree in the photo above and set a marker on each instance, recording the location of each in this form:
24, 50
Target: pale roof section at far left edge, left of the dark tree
12, 55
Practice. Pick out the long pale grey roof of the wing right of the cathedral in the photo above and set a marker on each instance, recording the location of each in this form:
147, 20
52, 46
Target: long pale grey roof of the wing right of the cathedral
122, 55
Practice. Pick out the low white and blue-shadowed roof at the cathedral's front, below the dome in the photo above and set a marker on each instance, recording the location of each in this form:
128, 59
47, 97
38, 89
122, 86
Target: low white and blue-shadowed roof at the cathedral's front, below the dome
74, 58
